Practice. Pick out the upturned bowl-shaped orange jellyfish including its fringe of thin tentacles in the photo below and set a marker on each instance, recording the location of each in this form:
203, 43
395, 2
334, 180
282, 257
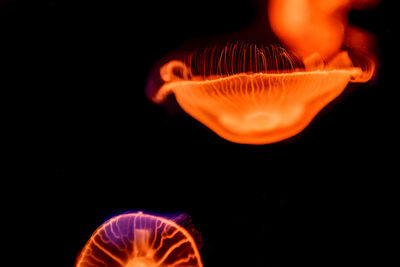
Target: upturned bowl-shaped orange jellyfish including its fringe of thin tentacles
252, 95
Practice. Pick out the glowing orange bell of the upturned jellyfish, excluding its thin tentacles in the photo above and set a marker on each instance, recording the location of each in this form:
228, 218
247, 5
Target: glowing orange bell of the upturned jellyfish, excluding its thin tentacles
258, 108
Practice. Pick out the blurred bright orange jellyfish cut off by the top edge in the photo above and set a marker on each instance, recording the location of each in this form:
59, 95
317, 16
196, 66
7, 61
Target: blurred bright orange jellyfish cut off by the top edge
313, 26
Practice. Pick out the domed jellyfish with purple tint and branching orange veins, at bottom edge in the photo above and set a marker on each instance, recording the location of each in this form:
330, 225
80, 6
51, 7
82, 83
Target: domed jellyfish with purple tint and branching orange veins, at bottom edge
140, 240
